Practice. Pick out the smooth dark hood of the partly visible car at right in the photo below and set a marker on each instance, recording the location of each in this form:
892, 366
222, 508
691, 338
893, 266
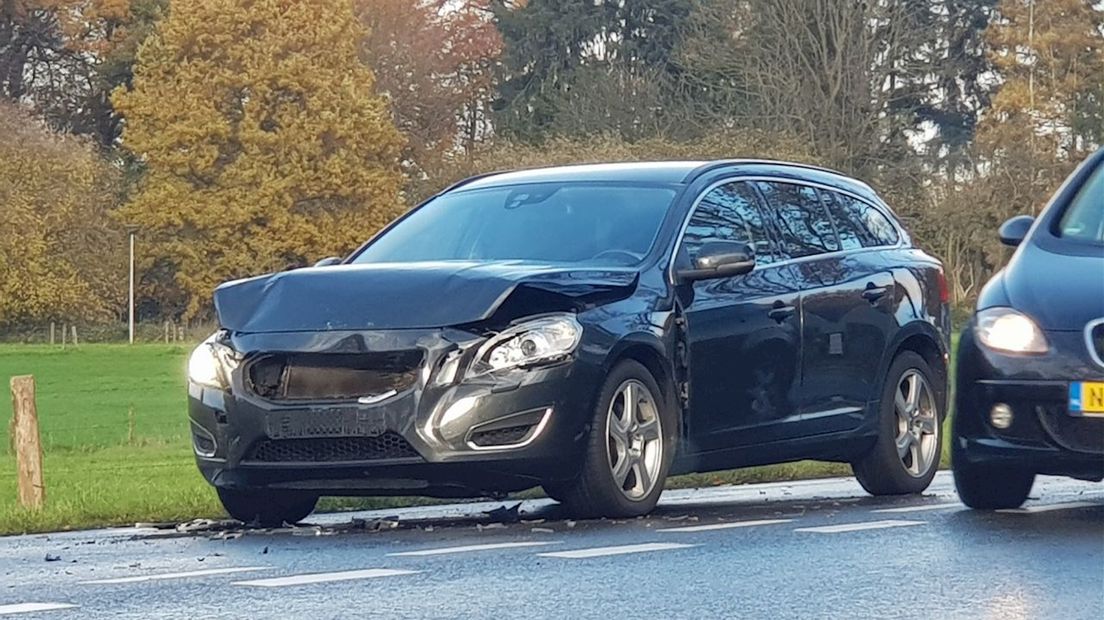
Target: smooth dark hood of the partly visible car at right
1060, 292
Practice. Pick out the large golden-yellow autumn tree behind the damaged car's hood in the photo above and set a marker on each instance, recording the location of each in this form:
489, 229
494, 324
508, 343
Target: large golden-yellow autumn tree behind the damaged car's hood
266, 142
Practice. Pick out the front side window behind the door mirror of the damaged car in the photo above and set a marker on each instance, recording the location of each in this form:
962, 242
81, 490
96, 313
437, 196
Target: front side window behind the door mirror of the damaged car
729, 213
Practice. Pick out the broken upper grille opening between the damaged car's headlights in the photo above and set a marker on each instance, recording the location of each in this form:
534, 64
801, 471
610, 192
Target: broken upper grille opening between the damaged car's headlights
333, 377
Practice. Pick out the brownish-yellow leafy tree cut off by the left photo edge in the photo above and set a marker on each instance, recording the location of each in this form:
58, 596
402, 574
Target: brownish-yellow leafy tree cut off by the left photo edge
60, 256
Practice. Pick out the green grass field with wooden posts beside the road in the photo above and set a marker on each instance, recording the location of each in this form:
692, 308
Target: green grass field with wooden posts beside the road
118, 452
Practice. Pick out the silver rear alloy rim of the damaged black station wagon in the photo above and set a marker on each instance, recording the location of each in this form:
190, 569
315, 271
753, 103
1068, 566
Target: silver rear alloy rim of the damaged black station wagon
918, 418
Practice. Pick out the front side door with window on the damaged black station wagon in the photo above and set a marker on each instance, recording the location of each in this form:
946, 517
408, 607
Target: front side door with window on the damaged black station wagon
744, 333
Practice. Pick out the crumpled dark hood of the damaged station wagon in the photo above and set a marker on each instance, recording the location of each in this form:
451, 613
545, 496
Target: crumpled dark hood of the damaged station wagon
402, 296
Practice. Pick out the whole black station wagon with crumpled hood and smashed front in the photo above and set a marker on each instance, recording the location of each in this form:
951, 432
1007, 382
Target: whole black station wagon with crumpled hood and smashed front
591, 330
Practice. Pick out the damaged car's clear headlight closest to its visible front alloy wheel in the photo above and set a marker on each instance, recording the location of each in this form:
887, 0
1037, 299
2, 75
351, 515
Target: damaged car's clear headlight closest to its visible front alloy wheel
547, 339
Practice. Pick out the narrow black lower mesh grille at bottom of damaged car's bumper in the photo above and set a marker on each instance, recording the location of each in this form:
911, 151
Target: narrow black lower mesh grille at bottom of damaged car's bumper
336, 450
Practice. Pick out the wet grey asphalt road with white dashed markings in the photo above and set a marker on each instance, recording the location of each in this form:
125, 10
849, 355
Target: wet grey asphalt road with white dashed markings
808, 550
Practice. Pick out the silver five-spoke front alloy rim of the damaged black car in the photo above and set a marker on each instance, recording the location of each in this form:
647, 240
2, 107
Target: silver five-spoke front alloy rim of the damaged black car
635, 440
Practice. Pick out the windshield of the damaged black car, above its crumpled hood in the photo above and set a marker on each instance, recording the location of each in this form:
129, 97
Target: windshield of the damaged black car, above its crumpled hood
579, 223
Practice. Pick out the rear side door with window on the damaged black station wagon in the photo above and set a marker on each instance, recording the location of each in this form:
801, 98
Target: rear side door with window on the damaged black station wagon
845, 305
